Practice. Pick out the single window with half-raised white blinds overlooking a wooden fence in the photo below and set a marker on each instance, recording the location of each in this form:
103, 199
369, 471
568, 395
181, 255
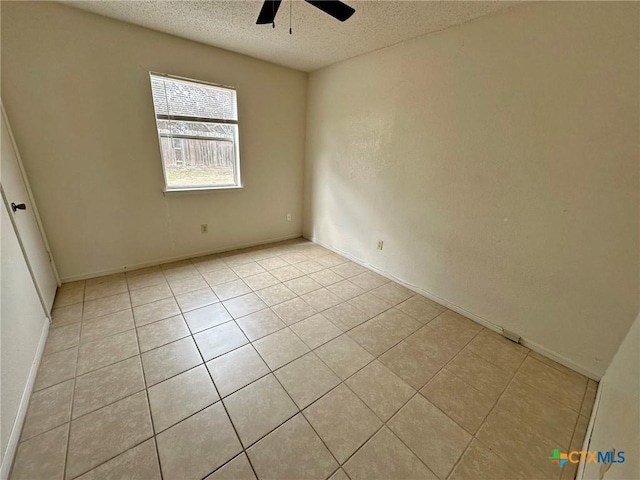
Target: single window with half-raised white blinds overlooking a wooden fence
198, 133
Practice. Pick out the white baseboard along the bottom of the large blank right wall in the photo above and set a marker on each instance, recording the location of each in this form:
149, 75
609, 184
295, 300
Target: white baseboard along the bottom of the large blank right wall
476, 318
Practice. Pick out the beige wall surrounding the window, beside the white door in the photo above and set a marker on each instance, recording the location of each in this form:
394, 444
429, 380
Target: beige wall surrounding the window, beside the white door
76, 88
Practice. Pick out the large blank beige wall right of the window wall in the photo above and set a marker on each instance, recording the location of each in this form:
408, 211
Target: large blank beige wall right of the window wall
498, 161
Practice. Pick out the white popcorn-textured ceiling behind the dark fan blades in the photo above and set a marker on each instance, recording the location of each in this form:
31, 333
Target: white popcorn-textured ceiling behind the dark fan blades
317, 41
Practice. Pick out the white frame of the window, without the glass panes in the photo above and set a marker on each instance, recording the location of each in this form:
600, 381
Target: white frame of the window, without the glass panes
236, 137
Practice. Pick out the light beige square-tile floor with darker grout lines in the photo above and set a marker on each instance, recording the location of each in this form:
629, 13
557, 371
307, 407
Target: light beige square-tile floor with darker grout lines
287, 361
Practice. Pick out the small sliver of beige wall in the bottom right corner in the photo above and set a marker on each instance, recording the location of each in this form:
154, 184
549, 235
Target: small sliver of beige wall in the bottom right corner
617, 422
